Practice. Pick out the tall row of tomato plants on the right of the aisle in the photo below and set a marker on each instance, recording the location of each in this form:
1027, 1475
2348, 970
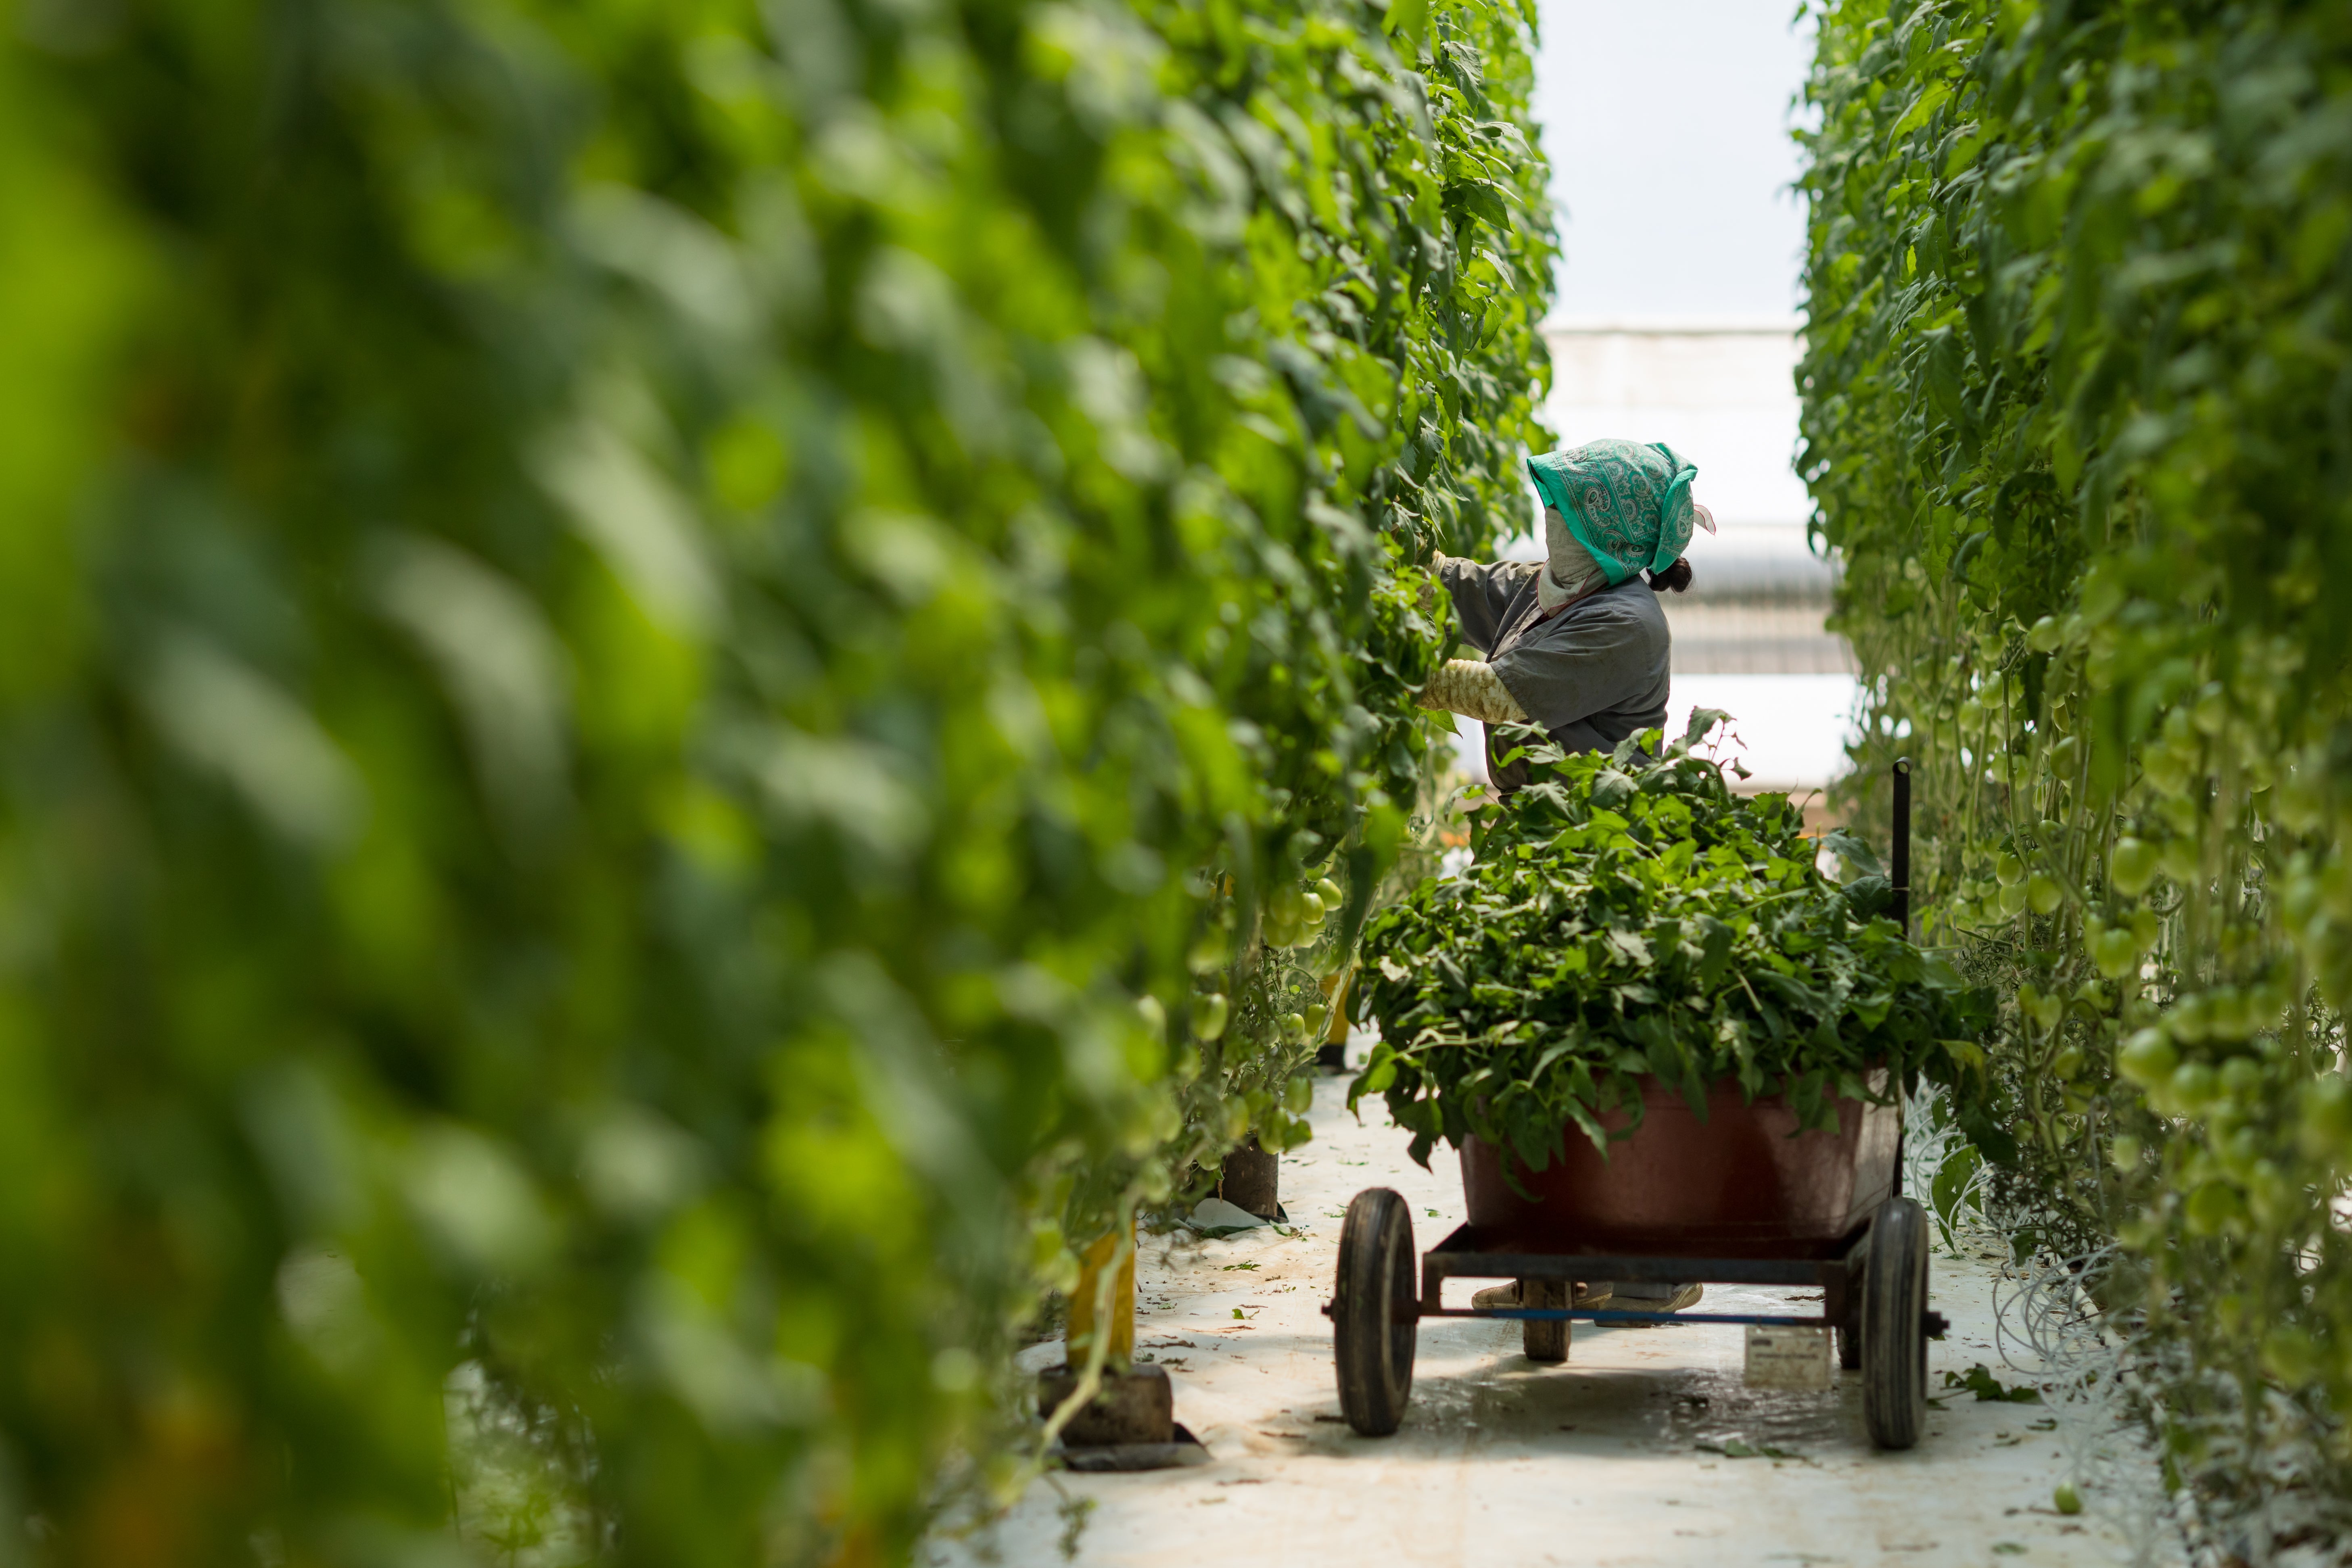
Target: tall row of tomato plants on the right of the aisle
2076, 417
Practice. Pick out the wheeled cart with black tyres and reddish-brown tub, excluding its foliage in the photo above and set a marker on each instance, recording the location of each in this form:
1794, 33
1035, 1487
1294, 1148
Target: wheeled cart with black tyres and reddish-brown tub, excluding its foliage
1742, 1198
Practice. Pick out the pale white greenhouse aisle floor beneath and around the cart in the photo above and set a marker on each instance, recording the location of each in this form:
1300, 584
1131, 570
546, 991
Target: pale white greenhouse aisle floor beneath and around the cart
1622, 1456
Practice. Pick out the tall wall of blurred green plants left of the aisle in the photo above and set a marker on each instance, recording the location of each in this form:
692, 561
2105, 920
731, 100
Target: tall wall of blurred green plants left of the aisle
676, 690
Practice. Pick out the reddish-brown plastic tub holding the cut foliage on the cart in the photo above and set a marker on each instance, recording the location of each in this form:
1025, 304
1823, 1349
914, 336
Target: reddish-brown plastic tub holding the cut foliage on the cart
1742, 1184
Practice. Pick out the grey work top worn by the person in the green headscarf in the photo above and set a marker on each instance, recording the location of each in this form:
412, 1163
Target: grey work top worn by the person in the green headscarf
1591, 676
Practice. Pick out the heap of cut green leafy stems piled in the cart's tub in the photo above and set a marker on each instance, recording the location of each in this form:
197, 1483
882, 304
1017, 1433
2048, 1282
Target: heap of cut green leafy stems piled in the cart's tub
1631, 918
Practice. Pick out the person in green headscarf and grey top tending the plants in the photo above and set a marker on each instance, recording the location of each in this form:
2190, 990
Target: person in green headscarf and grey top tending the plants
1577, 643
